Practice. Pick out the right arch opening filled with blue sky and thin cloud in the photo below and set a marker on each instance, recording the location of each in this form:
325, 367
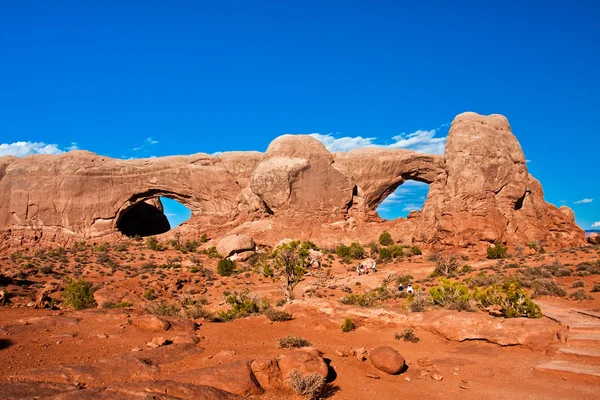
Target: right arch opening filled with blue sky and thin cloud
406, 198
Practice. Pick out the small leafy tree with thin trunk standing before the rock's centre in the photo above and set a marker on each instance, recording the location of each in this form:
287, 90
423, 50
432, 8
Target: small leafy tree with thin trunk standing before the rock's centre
290, 261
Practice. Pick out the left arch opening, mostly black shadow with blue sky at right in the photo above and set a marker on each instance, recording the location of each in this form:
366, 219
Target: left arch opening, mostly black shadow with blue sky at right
152, 216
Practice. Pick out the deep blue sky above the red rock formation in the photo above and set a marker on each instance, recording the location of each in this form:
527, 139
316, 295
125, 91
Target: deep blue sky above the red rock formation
138, 79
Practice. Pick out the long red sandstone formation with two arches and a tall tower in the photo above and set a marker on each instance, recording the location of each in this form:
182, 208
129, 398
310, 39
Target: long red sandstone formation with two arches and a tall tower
480, 193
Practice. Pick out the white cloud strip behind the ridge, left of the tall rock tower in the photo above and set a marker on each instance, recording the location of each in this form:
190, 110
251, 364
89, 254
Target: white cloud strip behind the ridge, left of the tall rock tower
421, 141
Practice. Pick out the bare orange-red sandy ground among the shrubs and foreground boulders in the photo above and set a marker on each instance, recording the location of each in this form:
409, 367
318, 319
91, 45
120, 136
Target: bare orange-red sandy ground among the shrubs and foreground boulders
32, 338
